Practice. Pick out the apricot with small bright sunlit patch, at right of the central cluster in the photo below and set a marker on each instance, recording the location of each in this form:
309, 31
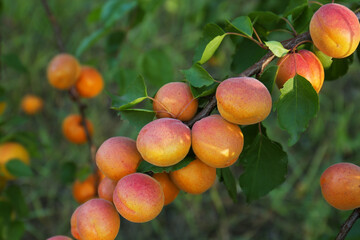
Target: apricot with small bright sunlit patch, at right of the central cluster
217, 142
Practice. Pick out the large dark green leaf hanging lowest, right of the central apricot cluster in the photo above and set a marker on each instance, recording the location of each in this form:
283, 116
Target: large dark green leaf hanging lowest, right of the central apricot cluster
265, 168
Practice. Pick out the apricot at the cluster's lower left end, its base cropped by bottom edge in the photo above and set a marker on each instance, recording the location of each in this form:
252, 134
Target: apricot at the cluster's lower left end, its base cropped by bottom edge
97, 219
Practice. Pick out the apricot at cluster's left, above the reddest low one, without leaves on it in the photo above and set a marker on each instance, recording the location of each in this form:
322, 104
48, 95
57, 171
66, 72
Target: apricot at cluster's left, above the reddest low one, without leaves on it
118, 157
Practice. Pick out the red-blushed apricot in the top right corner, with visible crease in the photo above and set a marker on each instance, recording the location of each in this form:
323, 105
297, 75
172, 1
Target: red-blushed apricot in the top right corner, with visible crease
335, 30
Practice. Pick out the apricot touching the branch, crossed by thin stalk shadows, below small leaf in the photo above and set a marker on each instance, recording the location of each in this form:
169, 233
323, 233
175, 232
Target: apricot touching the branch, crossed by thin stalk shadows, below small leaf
175, 100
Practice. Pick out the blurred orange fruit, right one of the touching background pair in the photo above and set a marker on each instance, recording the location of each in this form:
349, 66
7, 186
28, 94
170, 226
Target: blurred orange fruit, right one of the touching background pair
90, 82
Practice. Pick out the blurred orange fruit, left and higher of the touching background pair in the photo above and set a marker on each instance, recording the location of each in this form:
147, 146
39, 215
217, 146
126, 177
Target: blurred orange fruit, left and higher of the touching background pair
63, 71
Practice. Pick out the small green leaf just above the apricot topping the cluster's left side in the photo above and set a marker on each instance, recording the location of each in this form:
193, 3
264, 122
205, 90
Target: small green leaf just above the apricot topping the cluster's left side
197, 76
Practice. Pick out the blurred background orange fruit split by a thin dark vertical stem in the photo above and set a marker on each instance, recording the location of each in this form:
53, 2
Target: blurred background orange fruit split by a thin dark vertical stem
73, 129
